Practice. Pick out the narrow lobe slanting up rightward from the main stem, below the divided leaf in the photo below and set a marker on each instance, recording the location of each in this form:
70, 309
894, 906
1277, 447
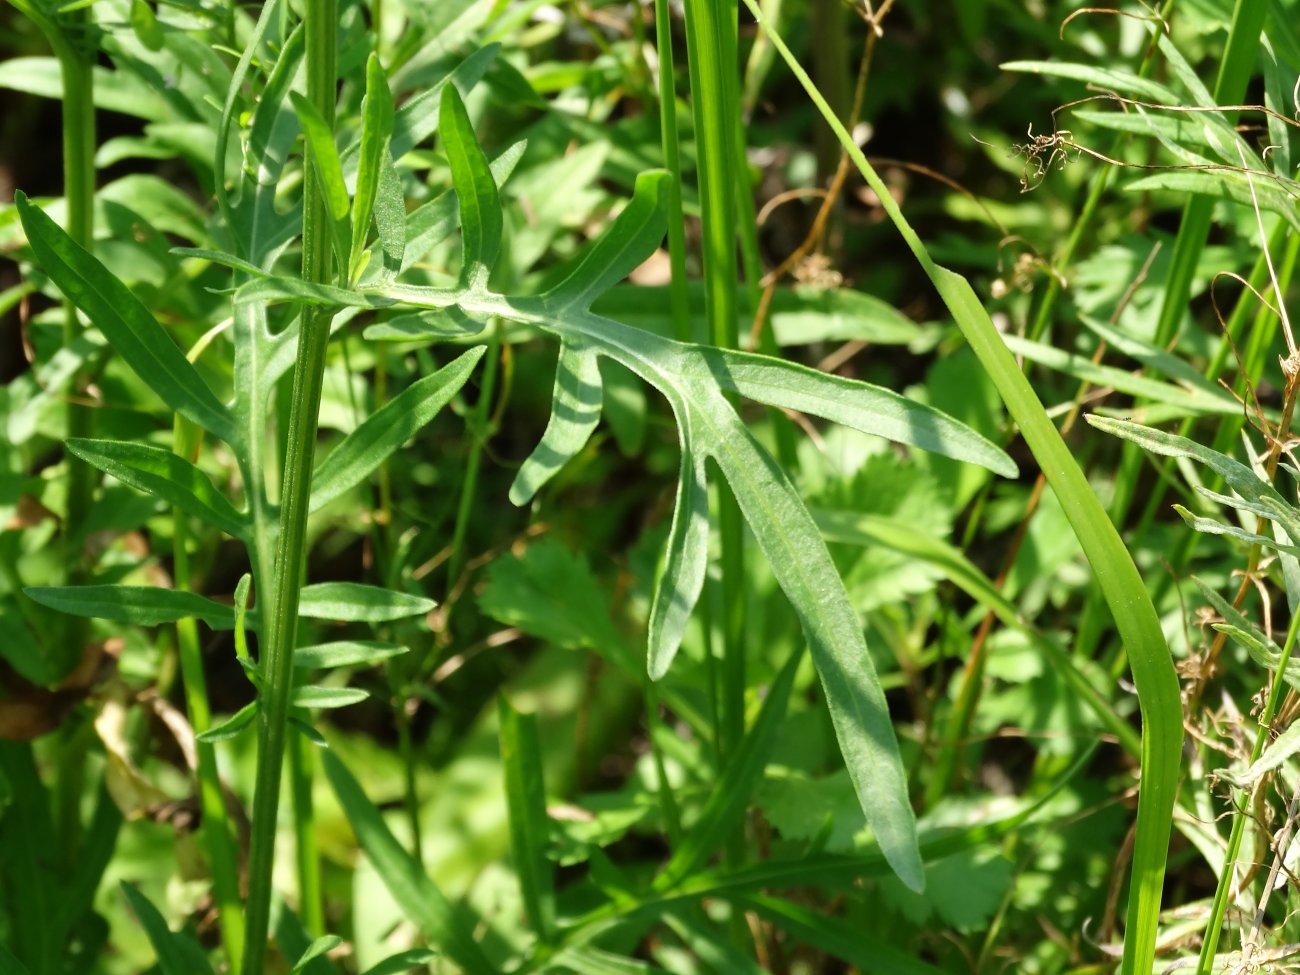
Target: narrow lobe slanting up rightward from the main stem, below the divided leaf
388, 428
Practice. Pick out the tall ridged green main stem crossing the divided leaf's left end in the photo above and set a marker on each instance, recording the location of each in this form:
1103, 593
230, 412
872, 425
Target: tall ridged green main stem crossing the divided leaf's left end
280, 618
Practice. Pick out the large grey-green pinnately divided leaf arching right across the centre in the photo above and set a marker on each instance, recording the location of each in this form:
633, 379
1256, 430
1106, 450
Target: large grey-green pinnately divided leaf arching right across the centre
696, 380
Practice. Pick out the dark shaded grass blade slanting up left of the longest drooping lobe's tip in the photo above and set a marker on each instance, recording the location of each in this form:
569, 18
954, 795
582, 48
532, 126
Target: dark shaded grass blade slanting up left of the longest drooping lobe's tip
730, 799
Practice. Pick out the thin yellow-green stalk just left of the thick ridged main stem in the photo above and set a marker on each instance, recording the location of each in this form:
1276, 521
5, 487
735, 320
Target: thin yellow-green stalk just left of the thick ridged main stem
215, 829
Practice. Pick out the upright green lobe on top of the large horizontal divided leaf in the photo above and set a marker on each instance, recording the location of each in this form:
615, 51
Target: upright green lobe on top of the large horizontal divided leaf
480, 207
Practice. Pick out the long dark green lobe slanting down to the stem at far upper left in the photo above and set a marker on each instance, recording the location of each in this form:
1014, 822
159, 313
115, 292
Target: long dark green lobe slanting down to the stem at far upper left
129, 327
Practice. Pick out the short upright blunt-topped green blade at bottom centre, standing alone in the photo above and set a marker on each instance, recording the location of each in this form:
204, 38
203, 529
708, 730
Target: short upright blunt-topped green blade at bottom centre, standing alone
526, 808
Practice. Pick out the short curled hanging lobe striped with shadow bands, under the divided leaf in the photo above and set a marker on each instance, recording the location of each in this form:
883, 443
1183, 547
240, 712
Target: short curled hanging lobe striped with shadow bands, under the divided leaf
575, 413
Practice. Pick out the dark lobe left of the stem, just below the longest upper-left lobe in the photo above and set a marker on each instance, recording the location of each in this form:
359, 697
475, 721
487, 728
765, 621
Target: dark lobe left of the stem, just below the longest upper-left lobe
167, 476
